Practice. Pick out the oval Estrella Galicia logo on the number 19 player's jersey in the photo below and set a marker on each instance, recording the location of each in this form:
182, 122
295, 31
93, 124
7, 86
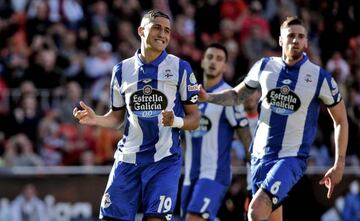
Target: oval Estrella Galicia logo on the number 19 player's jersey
148, 102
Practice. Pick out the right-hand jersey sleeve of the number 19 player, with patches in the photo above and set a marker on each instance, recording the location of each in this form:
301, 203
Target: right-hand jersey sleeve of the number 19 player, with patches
188, 86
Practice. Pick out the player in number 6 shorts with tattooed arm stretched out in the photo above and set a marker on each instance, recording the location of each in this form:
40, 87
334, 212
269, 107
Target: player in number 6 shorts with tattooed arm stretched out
292, 88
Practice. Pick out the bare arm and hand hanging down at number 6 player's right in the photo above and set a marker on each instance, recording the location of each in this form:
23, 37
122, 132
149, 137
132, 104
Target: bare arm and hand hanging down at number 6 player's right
335, 173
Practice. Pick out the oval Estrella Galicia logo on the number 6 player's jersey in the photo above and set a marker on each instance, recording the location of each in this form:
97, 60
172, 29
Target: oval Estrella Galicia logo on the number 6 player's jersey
283, 101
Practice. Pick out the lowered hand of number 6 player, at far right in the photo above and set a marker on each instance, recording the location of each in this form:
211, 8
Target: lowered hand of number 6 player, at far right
332, 177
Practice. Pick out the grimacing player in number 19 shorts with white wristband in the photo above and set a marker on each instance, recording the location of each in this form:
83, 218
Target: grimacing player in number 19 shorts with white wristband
155, 95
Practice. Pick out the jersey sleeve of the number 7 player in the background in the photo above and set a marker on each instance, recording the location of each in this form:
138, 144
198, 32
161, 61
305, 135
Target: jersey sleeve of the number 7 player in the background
236, 116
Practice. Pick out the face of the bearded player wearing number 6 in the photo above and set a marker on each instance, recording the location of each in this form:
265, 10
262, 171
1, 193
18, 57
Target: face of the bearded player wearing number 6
293, 41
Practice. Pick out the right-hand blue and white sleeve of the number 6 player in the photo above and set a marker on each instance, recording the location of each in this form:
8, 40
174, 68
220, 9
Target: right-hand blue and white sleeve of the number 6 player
329, 91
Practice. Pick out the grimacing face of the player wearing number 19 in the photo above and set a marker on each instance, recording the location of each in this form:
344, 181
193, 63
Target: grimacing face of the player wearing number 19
156, 34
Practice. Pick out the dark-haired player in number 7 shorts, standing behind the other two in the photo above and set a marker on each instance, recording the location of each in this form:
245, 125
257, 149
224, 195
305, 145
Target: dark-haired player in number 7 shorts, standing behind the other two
207, 156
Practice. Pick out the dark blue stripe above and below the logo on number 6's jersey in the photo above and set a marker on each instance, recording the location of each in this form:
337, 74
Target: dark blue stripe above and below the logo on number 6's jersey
278, 122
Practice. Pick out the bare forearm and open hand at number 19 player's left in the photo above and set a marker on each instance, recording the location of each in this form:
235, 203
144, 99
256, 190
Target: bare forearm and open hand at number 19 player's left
111, 119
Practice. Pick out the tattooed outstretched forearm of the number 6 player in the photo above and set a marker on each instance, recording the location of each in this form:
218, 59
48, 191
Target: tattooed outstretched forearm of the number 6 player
230, 97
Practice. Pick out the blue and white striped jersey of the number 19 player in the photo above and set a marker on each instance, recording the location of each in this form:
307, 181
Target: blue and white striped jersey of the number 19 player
147, 89
